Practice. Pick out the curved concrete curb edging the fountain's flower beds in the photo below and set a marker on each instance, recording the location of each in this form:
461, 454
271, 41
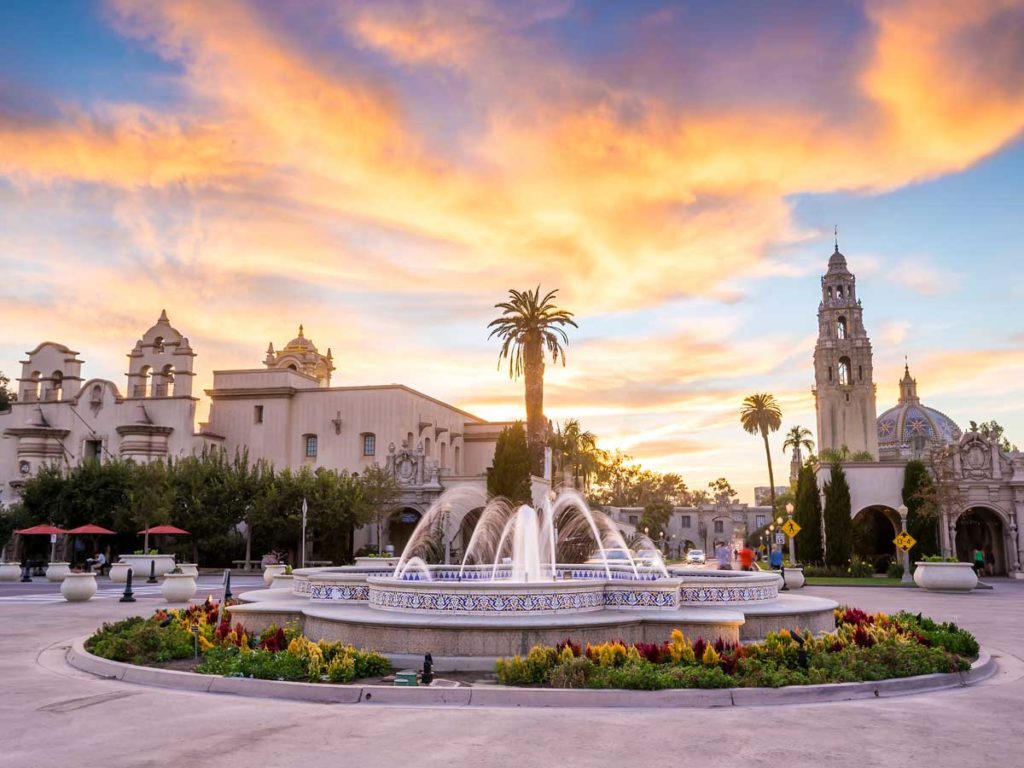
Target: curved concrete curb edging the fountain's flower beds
80, 659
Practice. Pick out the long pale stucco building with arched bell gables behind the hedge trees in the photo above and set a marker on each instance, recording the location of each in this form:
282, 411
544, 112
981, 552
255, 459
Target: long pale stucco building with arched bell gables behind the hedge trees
285, 412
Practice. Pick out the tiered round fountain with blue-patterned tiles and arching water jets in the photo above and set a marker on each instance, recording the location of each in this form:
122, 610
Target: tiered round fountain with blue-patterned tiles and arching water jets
527, 576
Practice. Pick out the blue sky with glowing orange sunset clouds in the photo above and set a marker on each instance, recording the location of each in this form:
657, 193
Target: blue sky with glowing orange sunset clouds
385, 173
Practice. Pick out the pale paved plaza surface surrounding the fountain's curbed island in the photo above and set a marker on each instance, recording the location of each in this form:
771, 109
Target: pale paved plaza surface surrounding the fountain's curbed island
52, 715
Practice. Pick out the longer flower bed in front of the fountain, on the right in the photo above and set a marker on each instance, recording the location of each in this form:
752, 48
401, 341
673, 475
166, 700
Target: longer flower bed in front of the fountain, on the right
865, 648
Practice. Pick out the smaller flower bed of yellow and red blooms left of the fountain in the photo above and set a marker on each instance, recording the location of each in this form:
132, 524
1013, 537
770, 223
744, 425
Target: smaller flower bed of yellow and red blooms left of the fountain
278, 654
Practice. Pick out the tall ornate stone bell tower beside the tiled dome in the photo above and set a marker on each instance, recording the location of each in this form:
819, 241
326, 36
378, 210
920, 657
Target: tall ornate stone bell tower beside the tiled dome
844, 380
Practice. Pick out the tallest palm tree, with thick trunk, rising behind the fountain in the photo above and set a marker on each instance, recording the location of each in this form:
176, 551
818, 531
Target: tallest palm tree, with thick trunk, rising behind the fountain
530, 326
